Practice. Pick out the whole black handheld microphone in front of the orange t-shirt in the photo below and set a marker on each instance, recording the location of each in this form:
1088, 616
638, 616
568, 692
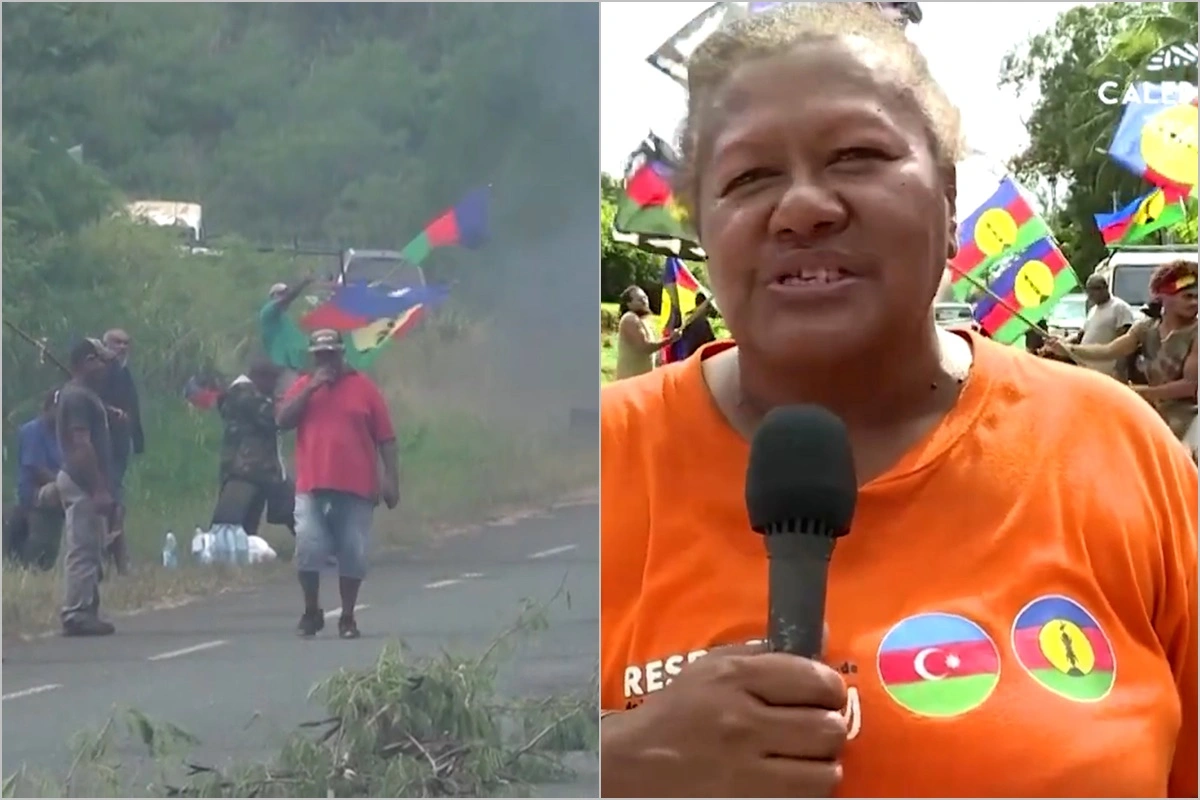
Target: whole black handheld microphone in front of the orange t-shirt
801, 496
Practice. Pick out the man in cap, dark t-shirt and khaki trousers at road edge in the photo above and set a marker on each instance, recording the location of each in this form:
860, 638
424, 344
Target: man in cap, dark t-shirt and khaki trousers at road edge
86, 485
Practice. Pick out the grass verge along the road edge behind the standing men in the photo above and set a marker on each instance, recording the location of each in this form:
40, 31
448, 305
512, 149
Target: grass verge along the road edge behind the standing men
465, 455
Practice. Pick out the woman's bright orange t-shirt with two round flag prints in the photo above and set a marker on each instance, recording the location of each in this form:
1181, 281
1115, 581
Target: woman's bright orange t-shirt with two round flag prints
1015, 610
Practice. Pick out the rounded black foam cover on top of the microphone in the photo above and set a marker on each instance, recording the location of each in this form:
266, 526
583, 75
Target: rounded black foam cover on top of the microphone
802, 470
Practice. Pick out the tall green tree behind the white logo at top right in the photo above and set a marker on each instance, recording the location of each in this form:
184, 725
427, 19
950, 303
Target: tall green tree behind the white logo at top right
1071, 128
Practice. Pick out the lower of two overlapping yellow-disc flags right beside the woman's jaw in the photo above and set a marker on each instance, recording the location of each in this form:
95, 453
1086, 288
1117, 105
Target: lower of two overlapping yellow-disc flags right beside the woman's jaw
1031, 284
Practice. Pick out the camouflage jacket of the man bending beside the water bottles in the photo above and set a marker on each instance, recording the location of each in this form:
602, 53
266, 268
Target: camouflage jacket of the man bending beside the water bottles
250, 449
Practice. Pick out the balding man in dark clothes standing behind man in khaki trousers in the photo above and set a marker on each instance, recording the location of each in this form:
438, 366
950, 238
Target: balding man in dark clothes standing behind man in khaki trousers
121, 395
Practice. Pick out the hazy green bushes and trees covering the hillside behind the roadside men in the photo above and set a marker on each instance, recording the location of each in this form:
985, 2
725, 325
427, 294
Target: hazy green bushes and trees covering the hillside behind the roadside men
326, 124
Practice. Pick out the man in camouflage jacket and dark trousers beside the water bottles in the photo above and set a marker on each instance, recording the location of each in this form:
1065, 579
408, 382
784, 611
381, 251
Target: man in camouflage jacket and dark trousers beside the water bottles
251, 470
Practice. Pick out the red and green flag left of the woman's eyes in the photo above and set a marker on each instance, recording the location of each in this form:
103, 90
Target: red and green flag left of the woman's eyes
647, 214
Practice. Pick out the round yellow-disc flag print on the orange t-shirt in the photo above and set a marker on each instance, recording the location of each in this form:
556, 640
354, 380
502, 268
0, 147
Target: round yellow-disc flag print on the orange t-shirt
1063, 648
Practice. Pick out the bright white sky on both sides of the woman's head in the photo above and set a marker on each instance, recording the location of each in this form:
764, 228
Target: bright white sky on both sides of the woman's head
963, 41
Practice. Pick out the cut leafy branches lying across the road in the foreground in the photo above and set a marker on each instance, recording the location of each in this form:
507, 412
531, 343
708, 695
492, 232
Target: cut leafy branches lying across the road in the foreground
409, 727
